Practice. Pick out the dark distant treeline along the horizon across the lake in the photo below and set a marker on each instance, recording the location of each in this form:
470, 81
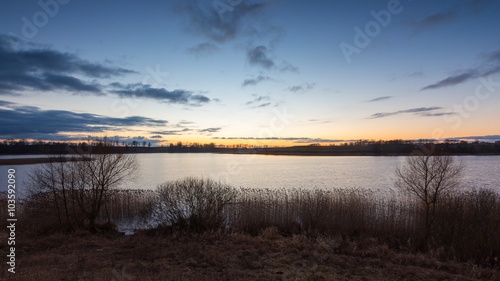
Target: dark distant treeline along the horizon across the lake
359, 148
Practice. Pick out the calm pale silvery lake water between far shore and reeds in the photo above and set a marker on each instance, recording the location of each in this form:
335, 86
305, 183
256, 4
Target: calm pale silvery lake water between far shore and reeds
259, 171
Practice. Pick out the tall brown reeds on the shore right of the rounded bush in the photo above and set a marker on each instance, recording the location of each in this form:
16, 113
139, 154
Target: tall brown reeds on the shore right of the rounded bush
466, 223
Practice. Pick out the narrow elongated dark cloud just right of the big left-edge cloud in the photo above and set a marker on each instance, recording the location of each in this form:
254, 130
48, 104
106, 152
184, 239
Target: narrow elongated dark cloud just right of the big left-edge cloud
160, 94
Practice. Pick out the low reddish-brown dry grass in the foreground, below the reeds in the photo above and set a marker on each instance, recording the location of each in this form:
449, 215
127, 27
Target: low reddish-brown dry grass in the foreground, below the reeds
213, 256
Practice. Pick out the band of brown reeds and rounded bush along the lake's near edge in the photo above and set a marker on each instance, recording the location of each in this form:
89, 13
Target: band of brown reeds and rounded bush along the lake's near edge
466, 224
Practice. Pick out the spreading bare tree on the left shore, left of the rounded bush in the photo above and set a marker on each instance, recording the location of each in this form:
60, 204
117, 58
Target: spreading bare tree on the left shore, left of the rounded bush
82, 185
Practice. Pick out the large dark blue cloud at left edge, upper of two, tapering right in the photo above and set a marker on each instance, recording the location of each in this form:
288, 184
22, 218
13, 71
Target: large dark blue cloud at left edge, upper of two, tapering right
34, 67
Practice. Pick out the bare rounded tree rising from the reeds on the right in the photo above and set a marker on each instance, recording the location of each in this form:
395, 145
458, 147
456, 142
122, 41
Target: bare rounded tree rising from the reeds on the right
428, 177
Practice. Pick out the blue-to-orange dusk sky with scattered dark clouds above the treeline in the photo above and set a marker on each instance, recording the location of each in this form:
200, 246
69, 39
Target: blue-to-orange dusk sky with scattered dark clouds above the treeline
268, 72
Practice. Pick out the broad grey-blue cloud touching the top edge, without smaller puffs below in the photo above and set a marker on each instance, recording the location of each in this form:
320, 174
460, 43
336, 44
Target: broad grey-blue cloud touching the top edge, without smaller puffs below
219, 21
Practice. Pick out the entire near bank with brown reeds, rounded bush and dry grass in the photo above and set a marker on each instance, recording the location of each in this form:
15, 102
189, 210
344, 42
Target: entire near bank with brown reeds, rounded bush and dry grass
204, 230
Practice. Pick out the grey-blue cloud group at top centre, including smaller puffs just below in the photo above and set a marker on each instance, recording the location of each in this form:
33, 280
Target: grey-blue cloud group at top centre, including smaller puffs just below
221, 22
